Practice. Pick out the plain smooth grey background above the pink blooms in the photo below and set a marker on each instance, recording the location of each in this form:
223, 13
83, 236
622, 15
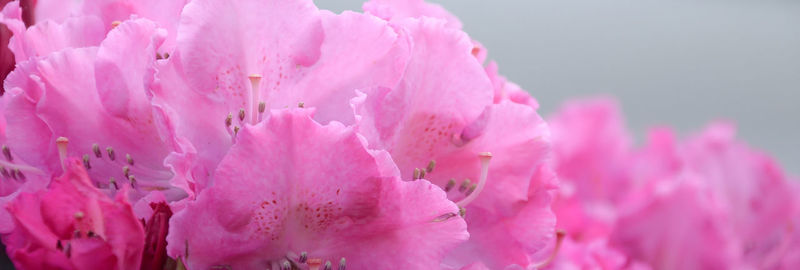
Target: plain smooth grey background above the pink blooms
669, 62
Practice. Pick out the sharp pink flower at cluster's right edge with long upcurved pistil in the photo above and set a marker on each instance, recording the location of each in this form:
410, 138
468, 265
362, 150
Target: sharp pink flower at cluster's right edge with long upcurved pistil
438, 120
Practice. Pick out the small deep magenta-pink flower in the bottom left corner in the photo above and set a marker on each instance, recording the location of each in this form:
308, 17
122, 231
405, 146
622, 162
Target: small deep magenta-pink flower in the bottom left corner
73, 225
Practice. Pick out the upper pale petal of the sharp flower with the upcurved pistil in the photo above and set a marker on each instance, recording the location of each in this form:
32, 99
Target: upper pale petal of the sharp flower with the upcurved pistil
443, 90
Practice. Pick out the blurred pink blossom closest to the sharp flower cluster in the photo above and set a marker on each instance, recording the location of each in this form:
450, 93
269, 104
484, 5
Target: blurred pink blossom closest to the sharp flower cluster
592, 152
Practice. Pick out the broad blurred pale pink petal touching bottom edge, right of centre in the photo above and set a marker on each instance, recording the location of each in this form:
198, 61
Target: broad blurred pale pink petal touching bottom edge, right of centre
679, 227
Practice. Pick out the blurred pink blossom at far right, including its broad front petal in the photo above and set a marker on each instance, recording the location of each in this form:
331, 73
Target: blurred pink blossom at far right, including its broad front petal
719, 190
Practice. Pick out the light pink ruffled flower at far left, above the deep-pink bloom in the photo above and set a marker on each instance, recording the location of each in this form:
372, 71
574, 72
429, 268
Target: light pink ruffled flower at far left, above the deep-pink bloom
95, 96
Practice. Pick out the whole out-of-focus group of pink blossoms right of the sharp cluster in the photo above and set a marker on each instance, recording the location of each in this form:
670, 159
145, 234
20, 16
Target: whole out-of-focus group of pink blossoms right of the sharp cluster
708, 202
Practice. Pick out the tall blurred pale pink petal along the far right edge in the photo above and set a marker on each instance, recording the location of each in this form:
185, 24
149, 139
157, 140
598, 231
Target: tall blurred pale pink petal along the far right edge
753, 191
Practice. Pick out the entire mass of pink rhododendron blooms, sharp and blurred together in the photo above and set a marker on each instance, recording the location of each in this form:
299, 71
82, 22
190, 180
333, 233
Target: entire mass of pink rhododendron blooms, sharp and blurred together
269, 134
